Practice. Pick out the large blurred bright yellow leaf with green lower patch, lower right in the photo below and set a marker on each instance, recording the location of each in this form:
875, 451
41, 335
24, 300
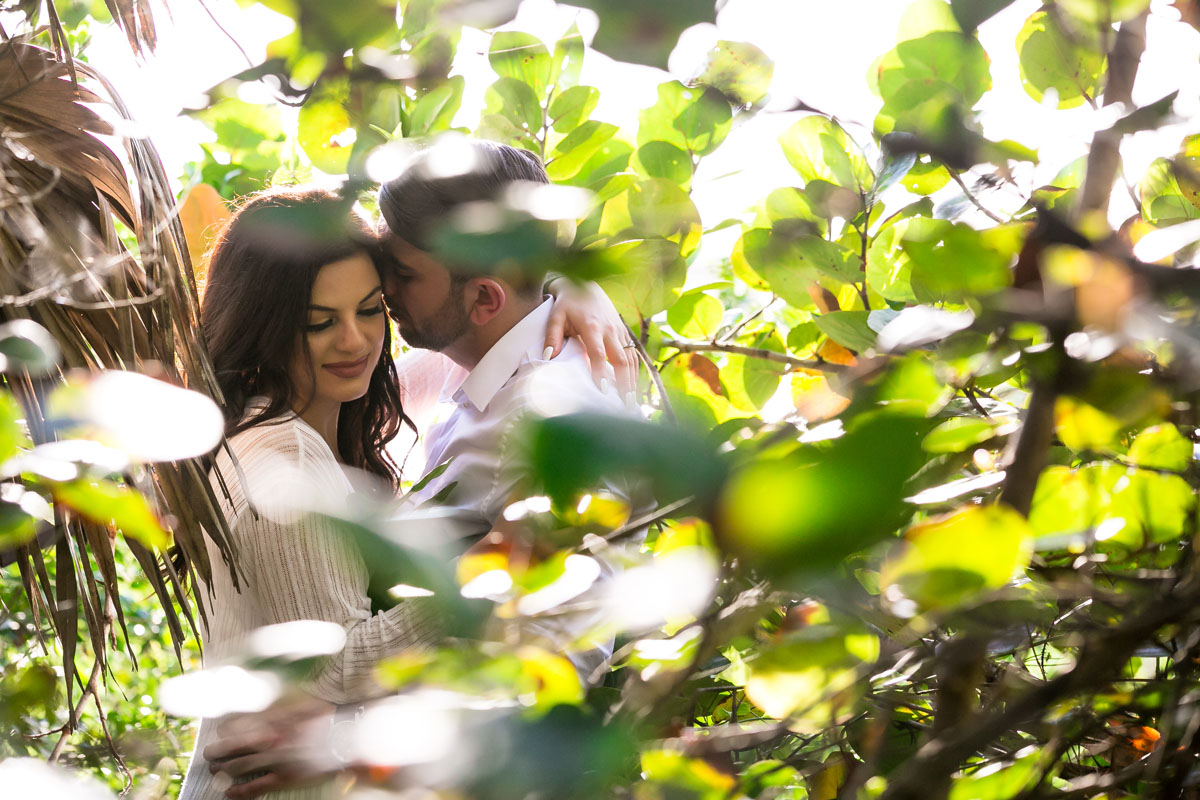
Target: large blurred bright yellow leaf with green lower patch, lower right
947, 562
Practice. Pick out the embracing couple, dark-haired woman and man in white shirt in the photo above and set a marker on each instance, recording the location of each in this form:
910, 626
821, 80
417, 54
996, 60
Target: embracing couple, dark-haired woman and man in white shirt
296, 317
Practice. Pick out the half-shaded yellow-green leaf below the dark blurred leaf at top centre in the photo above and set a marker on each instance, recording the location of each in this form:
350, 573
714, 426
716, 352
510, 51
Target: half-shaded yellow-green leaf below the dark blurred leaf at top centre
694, 119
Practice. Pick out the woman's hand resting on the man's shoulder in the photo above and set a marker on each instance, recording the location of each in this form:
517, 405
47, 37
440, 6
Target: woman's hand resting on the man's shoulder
587, 314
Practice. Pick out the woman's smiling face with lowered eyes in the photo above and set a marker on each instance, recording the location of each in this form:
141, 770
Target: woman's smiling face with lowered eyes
344, 333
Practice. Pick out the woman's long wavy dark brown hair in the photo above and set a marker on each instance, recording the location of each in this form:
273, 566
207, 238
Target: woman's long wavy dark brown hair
255, 308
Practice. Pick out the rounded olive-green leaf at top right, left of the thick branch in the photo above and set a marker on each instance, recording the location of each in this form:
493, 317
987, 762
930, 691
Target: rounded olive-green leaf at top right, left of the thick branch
1051, 58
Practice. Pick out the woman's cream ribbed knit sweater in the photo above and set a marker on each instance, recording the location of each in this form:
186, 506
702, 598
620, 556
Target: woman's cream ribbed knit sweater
295, 568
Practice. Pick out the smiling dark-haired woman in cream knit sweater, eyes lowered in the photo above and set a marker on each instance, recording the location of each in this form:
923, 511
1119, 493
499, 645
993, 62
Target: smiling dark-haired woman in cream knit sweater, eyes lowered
295, 318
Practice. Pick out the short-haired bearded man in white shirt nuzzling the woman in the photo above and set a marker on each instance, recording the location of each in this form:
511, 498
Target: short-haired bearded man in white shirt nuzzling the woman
490, 320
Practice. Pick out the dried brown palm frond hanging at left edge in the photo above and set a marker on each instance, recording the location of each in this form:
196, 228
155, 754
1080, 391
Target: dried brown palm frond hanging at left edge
92, 249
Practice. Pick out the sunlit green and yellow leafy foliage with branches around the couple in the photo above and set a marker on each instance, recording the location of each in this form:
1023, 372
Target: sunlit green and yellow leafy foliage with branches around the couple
961, 563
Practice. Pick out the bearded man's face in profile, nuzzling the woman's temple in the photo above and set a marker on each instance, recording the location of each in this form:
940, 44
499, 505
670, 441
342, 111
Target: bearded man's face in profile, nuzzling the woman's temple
428, 305
